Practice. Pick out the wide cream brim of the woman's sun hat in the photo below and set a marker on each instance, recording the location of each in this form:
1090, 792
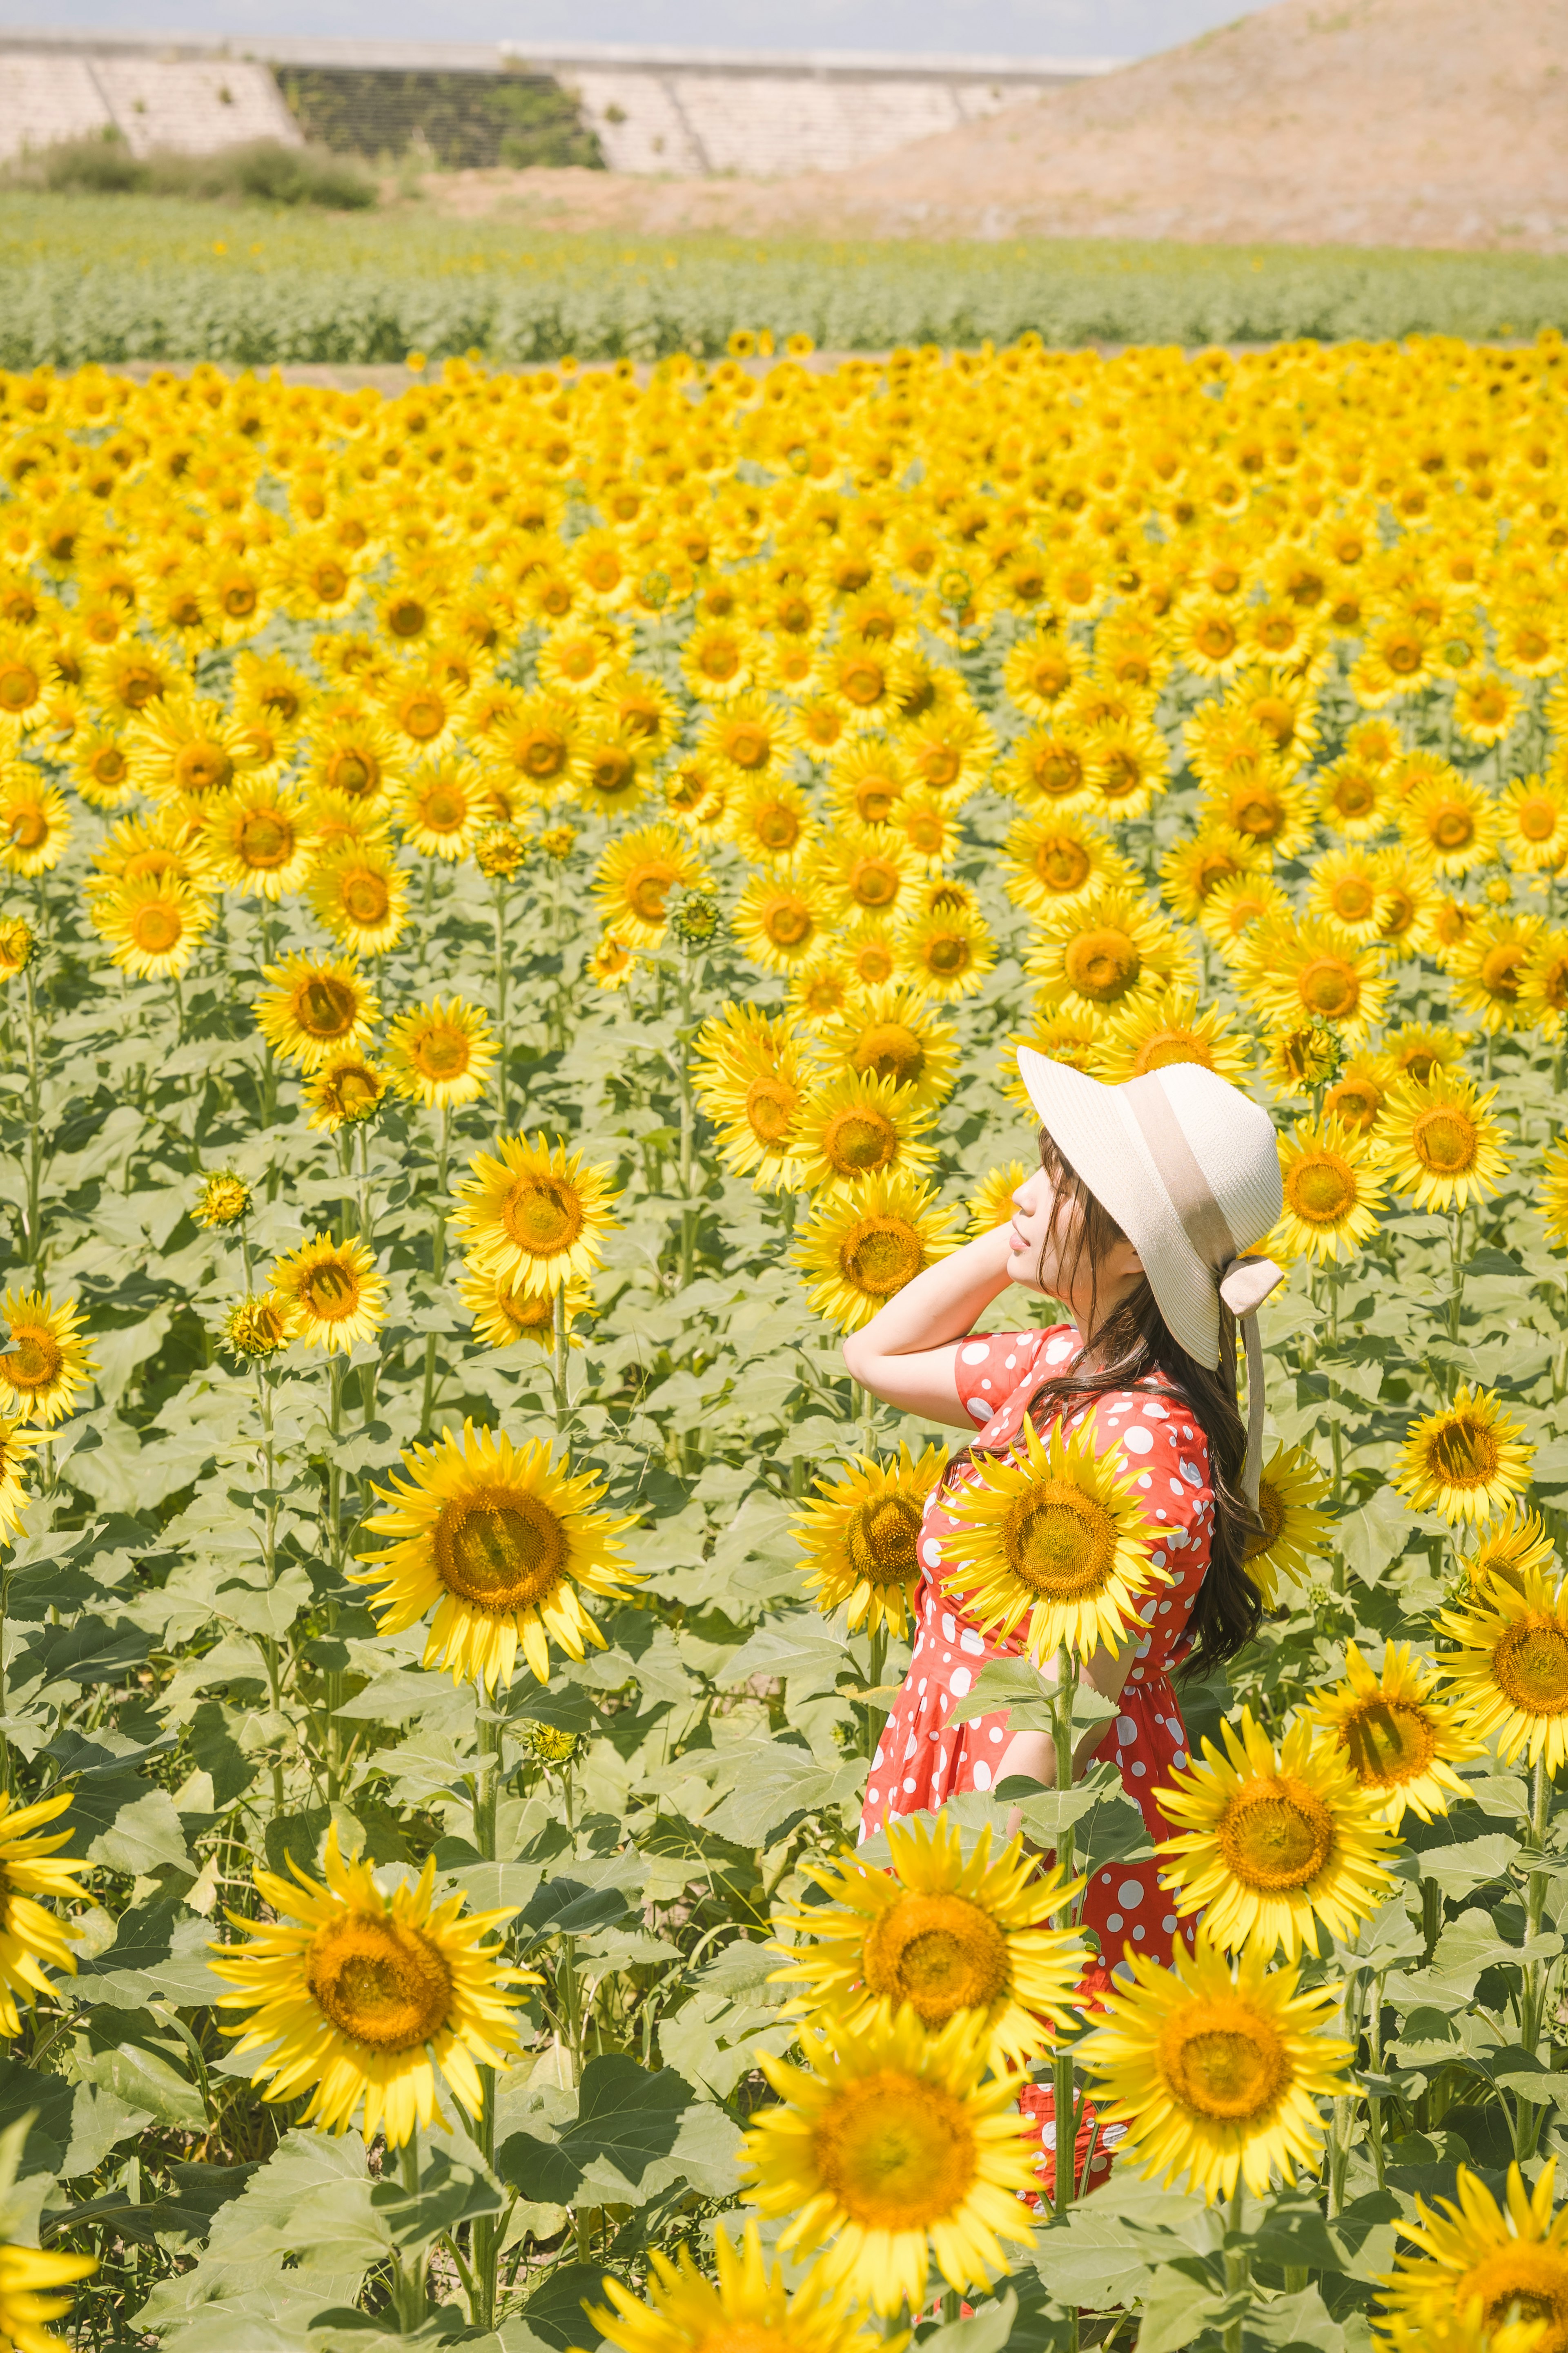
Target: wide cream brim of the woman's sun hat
1108, 1149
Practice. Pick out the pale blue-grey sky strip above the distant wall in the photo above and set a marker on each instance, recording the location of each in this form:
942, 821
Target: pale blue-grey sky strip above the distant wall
958, 27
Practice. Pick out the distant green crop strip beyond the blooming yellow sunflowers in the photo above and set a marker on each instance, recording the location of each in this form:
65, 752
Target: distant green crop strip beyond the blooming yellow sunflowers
126, 279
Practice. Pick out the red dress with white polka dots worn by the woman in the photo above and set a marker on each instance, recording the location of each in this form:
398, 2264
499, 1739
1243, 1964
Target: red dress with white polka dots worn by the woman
920, 1764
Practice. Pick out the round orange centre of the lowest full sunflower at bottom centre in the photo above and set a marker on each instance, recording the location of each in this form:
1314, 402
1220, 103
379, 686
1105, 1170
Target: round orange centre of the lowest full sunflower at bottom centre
899, 2154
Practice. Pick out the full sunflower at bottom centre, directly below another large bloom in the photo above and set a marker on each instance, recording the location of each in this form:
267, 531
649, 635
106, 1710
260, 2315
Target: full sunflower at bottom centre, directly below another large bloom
887, 2149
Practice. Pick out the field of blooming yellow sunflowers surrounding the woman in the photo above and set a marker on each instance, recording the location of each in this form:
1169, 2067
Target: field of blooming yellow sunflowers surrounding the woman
518, 907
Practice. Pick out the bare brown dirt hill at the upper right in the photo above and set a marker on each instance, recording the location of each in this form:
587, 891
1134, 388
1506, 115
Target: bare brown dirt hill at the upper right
1374, 124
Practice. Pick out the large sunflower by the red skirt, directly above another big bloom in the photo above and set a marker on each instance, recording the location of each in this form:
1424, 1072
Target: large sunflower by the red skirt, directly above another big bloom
942, 1931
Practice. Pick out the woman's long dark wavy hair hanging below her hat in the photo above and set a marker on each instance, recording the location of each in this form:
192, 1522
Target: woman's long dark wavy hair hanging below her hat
1123, 1352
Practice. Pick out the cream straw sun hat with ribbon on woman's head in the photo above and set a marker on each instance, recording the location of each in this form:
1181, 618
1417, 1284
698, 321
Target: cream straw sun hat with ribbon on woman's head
1191, 1171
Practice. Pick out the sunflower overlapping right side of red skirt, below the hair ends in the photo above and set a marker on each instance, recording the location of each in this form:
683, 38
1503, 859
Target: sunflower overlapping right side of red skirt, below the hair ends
1273, 1846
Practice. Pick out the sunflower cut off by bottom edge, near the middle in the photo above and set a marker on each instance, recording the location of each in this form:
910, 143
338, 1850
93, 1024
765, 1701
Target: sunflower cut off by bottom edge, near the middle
746, 2309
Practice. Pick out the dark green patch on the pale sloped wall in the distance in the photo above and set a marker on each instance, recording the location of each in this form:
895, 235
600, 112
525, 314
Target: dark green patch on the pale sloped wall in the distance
464, 119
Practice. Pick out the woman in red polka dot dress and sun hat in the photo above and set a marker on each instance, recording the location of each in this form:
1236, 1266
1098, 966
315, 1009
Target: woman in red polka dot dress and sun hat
1134, 1222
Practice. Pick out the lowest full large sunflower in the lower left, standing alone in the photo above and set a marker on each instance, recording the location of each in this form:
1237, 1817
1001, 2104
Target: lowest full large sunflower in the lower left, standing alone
359, 1997
